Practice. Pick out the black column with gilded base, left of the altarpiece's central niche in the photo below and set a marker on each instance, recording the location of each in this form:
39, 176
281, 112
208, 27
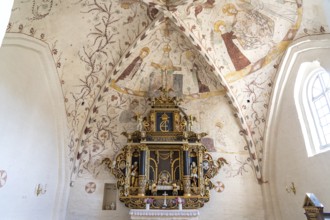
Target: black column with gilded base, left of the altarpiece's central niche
142, 170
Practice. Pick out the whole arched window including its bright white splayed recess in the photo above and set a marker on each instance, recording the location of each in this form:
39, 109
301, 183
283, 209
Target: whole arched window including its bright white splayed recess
312, 97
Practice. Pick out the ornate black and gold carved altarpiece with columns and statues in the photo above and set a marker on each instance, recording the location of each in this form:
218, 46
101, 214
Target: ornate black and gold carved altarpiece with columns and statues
164, 160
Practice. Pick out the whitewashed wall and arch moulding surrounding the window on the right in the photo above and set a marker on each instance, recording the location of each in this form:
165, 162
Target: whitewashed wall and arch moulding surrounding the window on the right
287, 159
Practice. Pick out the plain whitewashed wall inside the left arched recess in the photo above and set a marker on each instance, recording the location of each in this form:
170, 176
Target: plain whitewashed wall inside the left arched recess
32, 132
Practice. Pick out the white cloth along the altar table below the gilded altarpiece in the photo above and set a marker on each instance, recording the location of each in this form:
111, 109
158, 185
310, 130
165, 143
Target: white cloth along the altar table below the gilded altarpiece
152, 214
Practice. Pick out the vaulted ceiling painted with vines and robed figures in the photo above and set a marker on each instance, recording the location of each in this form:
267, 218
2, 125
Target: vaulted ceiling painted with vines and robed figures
197, 49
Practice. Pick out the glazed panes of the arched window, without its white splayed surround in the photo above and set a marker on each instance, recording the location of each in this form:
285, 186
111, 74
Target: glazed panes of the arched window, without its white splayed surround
318, 93
